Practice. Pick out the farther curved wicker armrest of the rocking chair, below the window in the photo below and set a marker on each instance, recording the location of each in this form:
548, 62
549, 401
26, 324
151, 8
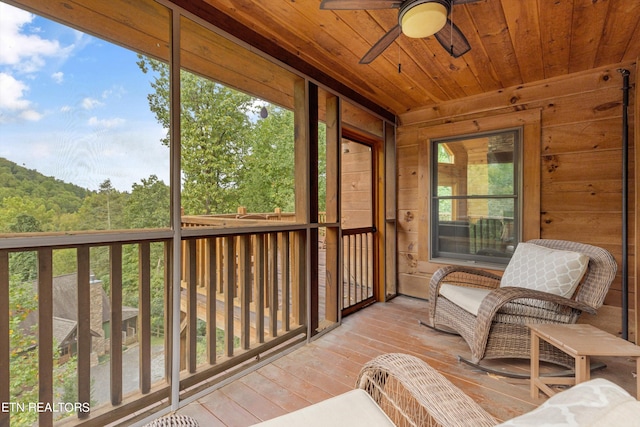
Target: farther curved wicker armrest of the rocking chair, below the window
462, 276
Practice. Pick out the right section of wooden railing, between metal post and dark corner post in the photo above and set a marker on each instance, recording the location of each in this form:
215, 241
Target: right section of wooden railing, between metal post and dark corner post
250, 288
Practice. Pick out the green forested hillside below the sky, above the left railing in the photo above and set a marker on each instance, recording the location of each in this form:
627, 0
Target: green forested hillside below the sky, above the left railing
32, 202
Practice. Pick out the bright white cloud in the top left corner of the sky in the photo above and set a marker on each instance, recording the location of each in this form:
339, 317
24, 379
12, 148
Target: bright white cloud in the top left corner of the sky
23, 52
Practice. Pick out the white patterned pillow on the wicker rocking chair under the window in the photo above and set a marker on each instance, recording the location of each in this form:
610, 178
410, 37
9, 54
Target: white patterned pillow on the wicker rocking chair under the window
544, 269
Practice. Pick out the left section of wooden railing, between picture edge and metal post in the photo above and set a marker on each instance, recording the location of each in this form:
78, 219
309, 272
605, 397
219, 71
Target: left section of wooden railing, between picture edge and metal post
89, 338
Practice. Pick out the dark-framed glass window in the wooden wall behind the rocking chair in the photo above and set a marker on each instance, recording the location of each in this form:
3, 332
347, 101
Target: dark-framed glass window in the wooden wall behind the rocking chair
475, 186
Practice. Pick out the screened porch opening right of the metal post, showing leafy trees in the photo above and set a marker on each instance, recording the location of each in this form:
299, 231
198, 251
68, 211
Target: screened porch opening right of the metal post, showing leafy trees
237, 145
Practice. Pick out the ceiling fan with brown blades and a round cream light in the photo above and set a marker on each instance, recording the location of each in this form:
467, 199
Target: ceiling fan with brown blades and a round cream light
416, 19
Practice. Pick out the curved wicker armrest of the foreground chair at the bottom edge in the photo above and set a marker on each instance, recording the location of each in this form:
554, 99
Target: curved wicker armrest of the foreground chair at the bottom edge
413, 393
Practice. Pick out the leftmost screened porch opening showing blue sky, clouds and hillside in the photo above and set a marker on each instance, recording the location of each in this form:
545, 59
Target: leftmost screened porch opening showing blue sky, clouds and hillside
80, 148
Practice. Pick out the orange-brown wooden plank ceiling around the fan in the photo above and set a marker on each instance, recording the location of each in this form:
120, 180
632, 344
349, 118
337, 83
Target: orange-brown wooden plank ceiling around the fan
513, 42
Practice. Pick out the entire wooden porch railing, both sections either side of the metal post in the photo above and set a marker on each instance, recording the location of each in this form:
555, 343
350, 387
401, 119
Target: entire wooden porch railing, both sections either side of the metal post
242, 298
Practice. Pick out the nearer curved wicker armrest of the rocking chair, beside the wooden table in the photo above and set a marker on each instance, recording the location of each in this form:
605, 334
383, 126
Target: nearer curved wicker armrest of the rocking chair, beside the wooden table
498, 298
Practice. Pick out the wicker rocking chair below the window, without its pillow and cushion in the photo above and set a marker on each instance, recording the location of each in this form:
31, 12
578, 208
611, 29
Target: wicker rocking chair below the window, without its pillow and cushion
500, 328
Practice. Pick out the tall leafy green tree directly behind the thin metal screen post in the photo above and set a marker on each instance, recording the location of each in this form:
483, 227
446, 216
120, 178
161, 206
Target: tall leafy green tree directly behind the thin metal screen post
215, 129
